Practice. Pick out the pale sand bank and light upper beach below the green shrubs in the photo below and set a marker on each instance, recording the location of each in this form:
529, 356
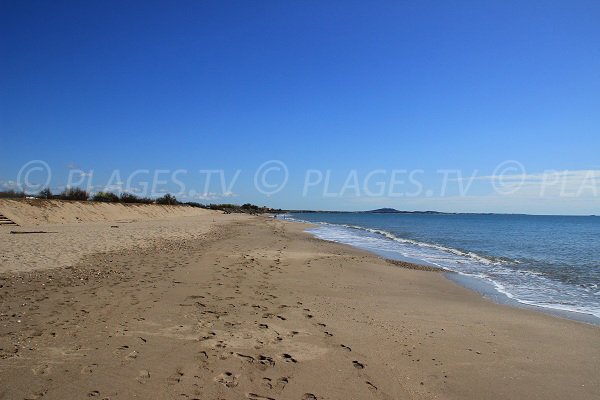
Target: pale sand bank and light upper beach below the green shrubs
72, 230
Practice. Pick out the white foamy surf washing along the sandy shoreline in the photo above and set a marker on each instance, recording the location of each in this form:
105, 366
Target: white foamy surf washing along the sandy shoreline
509, 277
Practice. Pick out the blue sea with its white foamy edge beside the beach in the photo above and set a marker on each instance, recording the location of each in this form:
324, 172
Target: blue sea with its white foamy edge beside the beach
546, 261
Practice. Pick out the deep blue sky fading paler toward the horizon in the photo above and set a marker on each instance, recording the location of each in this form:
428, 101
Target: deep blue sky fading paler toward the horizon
333, 87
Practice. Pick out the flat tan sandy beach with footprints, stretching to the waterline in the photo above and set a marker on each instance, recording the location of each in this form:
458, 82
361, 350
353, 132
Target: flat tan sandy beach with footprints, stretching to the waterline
249, 307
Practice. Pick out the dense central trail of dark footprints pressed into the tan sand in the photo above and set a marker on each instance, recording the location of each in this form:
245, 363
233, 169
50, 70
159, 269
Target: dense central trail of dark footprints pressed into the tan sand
234, 277
